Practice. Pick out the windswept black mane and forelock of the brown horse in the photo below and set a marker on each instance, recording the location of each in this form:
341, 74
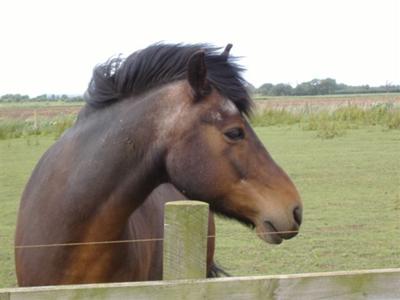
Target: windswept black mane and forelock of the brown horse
161, 64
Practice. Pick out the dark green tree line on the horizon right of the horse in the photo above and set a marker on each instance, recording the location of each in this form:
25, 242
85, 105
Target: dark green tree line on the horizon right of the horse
326, 86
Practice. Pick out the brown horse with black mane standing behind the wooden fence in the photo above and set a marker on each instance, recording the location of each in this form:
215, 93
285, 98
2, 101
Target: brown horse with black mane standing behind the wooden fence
169, 113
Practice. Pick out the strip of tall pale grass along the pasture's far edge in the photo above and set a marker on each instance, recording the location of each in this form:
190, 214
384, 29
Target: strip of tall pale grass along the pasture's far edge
327, 124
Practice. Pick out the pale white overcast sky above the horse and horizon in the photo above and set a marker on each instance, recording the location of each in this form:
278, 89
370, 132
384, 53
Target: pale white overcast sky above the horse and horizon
52, 46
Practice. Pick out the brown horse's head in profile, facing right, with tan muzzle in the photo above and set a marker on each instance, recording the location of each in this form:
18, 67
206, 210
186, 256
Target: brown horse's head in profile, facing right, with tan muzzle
215, 156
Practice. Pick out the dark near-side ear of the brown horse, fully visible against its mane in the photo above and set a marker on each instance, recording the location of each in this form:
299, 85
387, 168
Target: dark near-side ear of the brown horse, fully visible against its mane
197, 74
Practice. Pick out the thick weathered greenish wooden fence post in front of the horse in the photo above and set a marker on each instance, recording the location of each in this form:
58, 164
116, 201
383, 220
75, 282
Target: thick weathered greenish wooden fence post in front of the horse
185, 240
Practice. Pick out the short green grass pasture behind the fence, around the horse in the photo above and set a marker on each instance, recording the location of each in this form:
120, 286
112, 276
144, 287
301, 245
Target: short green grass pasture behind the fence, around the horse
349, 185
